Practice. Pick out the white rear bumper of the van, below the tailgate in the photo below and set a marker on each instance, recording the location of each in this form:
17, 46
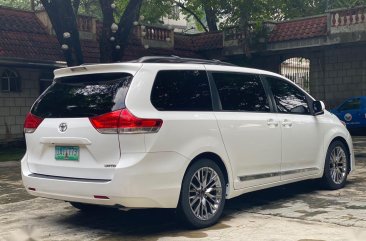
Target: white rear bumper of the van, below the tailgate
141, 180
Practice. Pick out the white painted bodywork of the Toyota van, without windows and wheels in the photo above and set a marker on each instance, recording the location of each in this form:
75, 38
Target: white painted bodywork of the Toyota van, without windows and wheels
150, 167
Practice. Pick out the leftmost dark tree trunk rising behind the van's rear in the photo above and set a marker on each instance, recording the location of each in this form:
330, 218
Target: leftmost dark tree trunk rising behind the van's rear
63, 20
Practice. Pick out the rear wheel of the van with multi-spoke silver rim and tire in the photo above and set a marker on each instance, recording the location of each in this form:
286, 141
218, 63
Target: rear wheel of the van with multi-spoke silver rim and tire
192, 208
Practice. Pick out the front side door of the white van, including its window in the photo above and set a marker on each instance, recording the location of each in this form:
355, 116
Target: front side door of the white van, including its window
302, 135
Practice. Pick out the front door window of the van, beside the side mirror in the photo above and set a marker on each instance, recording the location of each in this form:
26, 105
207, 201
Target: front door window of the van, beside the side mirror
289, 98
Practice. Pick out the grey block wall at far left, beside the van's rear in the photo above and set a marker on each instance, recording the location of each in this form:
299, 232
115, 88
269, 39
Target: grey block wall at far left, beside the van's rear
15, 105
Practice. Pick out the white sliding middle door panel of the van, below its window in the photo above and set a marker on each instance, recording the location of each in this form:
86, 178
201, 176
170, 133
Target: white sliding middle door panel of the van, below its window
253, 144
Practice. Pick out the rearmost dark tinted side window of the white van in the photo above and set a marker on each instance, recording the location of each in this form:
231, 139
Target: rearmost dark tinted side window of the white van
181, 90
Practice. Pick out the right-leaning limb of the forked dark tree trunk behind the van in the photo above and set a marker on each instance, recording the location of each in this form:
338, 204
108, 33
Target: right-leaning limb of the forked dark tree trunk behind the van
125, 25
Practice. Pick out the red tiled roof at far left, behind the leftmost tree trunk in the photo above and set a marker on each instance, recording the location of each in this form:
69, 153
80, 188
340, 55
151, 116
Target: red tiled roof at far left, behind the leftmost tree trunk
23, 36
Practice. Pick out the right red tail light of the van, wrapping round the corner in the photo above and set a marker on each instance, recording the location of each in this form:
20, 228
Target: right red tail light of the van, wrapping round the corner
122, 121
